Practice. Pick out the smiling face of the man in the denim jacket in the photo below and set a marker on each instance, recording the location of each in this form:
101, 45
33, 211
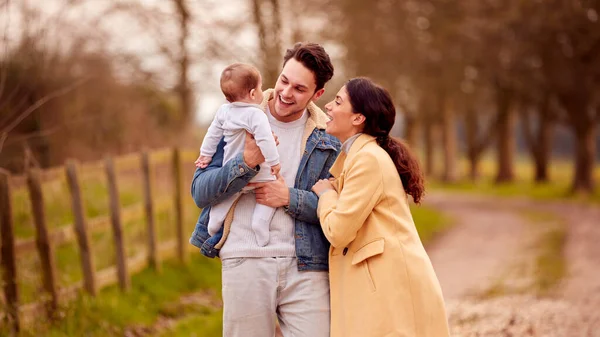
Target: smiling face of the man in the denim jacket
294, 89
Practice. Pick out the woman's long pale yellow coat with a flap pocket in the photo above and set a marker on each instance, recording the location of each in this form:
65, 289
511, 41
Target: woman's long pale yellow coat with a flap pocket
382, 281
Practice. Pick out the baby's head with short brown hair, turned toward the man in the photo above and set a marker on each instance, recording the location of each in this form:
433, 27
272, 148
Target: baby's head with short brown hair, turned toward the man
237, 80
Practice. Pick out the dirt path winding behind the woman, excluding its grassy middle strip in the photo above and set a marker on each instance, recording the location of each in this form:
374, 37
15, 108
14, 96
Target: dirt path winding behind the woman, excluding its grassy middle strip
490, 248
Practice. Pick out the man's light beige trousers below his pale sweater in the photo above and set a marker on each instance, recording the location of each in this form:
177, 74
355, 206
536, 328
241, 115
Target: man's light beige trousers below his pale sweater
257, 291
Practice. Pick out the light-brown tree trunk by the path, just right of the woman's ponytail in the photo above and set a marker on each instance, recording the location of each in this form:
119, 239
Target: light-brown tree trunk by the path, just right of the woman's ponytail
449, 136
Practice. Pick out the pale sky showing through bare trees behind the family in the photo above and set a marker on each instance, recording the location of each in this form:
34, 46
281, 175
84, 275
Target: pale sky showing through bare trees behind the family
126, 34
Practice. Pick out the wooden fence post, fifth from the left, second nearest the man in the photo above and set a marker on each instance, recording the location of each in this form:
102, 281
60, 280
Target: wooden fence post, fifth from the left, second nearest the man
149, 207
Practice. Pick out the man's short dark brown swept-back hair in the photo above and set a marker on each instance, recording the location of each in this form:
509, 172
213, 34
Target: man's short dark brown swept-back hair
313, 57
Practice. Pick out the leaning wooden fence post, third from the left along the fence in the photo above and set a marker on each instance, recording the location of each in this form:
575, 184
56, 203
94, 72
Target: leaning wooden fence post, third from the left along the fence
87, 262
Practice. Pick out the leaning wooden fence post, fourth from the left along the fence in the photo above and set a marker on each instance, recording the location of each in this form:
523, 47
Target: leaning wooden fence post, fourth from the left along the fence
115, 217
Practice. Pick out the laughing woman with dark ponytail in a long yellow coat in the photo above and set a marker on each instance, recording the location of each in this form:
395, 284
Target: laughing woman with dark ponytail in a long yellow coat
382, 281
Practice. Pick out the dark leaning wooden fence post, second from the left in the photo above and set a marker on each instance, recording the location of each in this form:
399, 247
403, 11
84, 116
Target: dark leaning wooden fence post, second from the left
42, 240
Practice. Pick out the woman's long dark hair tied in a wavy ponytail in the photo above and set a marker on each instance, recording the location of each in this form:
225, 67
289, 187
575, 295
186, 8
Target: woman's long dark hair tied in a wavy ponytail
375, 103
